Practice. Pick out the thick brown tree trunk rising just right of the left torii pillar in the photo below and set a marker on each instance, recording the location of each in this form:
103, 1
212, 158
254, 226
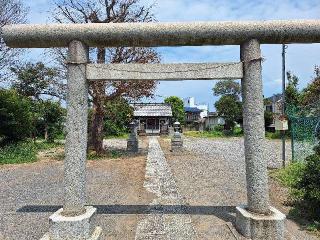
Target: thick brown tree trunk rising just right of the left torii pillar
98, 90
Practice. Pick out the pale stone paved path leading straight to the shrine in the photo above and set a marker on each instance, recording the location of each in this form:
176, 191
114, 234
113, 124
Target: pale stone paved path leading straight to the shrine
166, 218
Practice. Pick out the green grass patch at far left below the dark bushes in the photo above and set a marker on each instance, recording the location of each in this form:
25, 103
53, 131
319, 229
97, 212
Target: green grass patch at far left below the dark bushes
23, 152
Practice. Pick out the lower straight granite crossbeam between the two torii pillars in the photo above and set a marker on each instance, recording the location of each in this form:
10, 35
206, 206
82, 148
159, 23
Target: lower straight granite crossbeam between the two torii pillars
184, 71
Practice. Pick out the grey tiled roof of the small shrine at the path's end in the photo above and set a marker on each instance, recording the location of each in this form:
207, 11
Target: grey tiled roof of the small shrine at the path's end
152, 110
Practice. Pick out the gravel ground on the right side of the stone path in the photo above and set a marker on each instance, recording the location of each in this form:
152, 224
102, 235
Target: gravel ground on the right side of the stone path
210, 174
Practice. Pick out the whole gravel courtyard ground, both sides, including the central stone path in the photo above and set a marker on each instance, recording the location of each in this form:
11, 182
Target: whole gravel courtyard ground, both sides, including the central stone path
201, 185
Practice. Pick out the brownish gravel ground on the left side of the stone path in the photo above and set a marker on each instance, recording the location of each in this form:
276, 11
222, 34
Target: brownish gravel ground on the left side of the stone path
30, 193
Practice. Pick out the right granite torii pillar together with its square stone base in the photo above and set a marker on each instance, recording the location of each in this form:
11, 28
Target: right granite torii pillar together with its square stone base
257, 220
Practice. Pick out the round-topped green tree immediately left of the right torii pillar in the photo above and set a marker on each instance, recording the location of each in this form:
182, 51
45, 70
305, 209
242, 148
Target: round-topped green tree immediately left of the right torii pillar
229, 105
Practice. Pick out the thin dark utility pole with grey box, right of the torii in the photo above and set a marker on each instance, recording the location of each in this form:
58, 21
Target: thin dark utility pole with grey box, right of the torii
284, 47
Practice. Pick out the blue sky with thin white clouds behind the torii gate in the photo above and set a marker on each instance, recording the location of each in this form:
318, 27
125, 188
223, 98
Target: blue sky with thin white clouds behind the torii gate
301, 58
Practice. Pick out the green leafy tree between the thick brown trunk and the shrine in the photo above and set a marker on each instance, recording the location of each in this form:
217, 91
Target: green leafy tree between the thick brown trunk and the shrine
118, 116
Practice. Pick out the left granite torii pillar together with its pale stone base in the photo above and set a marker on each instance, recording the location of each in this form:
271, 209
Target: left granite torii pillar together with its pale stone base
73, 221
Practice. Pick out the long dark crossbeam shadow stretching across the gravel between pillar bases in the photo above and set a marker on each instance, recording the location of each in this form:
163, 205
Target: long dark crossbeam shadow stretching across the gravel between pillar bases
225, 213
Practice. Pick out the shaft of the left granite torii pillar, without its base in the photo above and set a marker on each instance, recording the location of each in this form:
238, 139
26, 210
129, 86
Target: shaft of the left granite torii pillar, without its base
77, 121
